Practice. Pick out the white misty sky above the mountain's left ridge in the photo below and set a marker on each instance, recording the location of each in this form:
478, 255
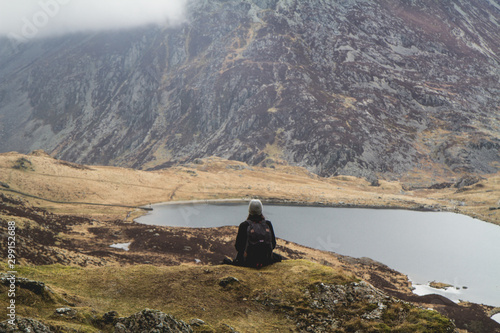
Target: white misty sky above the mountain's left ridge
28, 19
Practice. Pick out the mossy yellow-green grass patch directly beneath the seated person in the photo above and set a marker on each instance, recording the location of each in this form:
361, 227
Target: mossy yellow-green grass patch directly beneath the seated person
186, 292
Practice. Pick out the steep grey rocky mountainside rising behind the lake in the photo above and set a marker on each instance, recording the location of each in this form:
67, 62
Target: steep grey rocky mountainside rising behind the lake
340, 87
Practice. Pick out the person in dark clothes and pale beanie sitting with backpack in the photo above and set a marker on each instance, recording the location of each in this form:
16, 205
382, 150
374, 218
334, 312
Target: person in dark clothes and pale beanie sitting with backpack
255, 240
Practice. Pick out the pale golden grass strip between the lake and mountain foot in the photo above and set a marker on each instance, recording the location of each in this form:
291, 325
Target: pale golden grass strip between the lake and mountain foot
215, 178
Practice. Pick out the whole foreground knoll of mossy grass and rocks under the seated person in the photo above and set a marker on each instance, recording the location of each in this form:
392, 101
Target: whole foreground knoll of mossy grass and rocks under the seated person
277, 298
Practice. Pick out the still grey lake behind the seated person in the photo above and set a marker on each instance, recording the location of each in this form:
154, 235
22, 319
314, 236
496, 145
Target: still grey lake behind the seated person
427, 246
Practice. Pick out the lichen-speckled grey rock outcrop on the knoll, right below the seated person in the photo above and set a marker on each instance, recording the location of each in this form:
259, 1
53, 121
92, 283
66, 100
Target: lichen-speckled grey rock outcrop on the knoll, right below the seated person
352, 307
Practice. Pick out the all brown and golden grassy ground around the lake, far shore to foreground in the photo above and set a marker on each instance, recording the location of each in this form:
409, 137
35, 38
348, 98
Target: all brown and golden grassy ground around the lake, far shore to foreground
68, 215
